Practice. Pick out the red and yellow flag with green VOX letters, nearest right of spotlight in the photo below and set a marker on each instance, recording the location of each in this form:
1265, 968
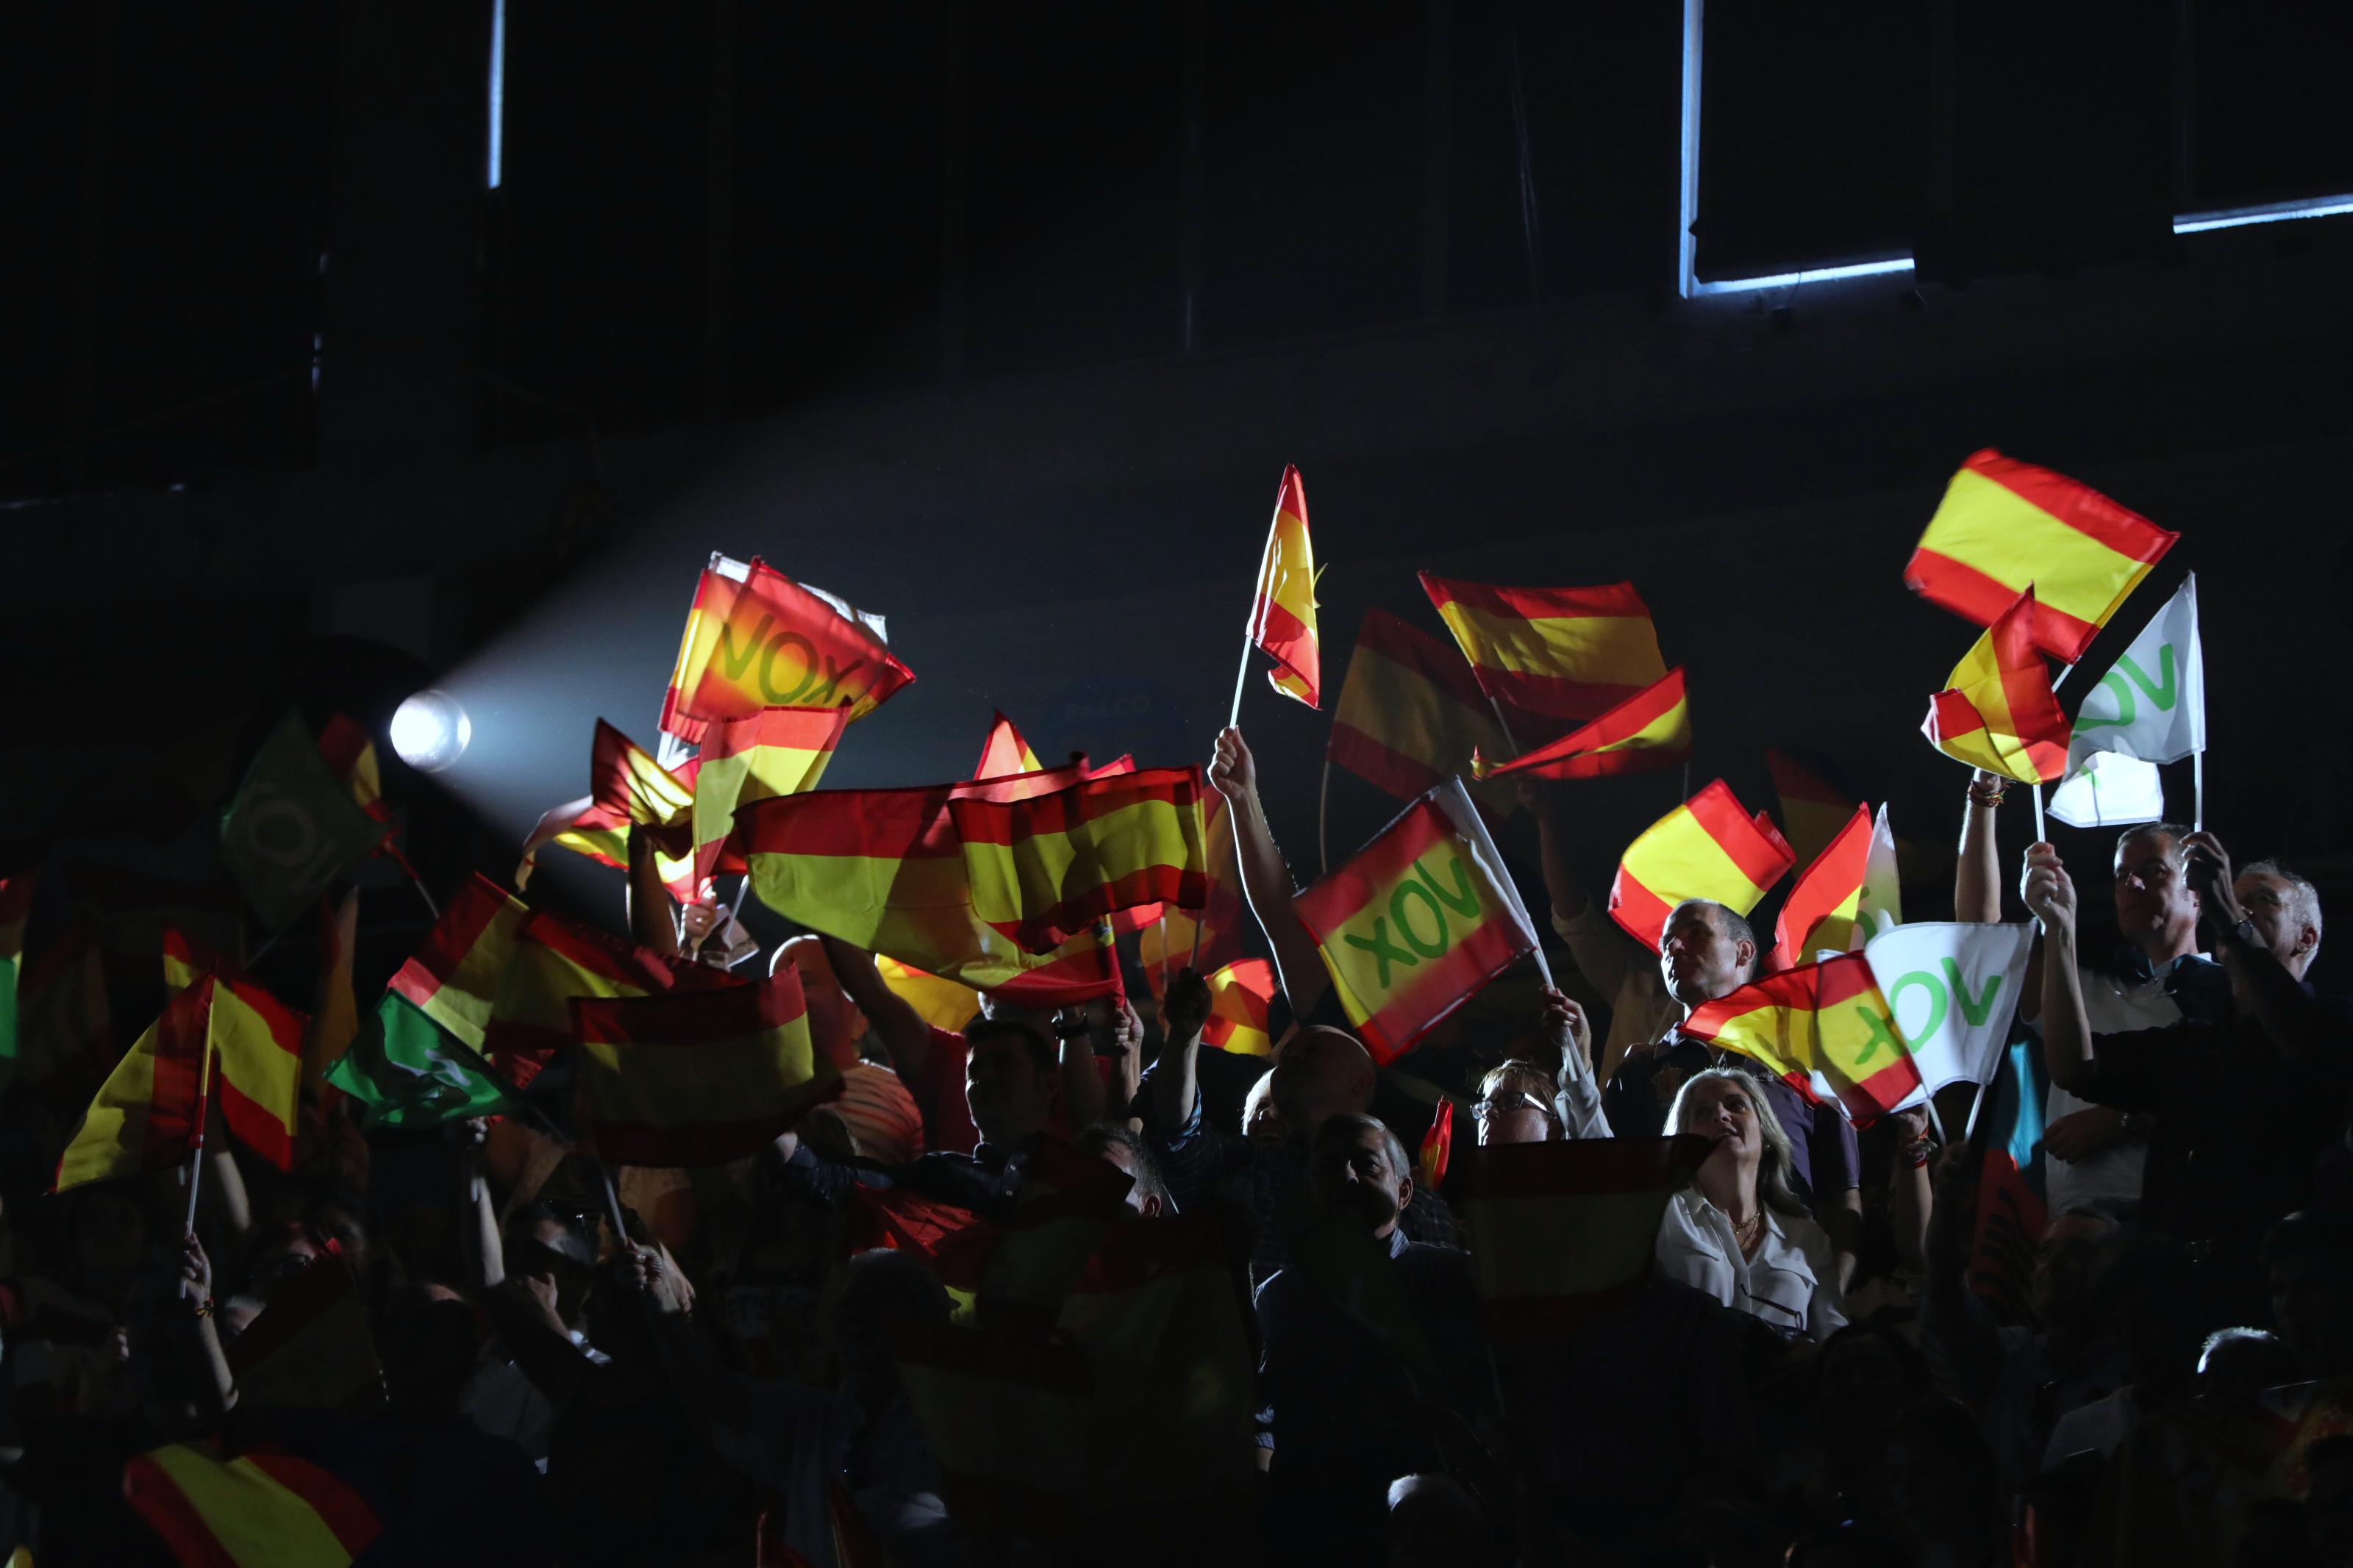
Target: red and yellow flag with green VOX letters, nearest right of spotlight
761, 641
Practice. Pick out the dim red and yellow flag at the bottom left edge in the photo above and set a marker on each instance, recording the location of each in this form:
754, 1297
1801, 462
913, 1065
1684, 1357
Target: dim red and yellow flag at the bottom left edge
255, 1508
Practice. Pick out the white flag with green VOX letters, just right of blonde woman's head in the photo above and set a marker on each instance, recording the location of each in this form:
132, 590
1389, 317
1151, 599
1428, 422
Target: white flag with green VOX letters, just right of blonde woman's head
1952, 993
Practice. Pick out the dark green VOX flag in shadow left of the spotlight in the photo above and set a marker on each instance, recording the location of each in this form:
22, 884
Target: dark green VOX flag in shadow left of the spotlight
293, 829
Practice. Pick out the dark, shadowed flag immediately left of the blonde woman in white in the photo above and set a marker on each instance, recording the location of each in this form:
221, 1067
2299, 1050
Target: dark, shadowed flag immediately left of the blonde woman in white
1564, 1233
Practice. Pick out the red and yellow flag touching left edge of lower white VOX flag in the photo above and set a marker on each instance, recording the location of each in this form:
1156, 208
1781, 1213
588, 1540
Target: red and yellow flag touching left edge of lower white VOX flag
1825, 1028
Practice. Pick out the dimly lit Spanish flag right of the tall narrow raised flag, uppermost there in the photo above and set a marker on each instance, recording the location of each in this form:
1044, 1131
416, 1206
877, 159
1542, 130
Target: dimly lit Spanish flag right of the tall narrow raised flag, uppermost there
1552, 652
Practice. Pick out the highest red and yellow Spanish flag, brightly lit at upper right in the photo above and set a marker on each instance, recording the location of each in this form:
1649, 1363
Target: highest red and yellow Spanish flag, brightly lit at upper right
2008, 525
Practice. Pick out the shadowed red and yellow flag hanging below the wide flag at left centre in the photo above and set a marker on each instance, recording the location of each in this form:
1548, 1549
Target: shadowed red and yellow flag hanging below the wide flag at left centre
700, 1078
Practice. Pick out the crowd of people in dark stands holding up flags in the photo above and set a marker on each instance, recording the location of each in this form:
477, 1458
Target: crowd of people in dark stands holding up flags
709, 1367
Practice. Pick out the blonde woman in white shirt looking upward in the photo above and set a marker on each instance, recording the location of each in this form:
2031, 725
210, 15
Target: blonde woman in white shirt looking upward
1740, 1233
